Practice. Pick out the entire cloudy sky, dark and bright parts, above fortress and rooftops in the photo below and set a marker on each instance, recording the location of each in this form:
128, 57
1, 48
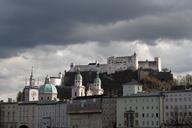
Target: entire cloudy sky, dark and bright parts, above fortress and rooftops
50, 34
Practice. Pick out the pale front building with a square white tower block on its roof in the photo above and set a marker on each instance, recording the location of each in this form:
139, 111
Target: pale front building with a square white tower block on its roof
138, 109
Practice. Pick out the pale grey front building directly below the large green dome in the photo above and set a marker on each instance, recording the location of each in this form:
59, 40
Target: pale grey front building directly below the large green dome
52, 114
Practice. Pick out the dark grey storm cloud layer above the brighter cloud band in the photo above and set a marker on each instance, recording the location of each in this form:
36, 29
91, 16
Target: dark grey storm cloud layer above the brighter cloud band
30, 23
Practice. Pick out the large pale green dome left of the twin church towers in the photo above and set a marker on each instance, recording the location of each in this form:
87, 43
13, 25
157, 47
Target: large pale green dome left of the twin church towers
48, 88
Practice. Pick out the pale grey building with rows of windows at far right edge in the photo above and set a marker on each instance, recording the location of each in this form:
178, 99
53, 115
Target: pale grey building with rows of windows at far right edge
178, 107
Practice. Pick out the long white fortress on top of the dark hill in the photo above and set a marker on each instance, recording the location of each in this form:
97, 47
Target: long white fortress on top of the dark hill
119, 64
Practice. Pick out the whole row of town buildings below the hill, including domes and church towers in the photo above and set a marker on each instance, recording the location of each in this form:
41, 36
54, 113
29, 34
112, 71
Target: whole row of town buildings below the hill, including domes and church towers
89, 108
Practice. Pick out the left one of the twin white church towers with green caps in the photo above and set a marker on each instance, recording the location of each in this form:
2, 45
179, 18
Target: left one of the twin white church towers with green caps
78, 89
